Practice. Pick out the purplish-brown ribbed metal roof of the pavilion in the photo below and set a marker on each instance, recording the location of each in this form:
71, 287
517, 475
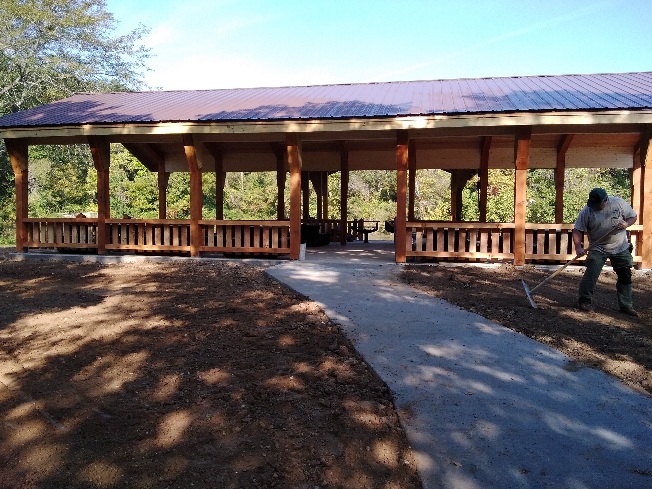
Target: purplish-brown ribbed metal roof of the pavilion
630, 91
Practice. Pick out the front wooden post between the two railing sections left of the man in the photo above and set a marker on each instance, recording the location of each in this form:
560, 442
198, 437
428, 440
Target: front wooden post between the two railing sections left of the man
521, 158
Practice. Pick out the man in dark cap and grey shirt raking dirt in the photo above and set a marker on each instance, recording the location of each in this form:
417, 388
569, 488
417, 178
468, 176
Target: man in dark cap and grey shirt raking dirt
602, 214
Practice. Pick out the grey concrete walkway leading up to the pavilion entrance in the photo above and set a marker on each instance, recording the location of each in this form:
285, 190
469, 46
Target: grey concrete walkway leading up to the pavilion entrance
483, 407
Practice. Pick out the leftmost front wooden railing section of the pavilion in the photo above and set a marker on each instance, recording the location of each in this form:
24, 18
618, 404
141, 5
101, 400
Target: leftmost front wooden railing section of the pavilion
79, 233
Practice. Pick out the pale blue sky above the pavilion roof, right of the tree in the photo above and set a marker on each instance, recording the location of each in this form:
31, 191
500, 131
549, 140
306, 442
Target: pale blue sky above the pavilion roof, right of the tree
209, 44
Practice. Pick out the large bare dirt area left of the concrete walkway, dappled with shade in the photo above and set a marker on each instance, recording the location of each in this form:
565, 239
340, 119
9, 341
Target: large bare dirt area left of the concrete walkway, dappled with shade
183, 374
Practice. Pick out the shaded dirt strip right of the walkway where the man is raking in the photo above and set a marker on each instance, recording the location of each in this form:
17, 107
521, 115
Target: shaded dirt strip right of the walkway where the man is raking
604, 339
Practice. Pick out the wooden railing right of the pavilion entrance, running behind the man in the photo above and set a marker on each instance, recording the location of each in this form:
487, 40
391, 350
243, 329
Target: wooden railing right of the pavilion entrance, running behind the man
473, 241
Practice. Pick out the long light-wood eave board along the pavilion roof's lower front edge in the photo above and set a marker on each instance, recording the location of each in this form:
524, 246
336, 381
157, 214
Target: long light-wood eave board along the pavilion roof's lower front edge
69, 134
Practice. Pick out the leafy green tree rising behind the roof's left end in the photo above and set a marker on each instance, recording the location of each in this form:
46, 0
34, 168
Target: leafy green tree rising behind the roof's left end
50, 49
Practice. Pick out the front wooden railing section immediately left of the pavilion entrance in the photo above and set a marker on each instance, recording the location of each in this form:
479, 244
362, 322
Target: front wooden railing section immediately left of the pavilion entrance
250, 237
